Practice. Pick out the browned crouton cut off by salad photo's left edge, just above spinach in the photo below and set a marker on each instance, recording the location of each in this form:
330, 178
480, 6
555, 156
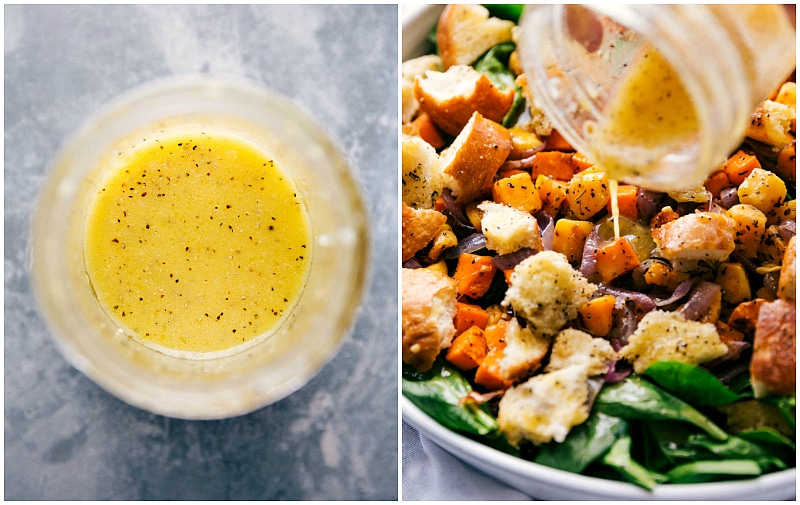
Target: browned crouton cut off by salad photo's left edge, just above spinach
429, 306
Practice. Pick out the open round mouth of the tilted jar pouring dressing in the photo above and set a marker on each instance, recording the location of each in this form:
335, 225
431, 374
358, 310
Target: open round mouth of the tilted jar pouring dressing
579, 57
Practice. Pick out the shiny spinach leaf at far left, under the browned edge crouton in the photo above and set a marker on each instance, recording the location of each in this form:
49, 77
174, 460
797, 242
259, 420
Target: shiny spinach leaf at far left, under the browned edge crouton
443, 396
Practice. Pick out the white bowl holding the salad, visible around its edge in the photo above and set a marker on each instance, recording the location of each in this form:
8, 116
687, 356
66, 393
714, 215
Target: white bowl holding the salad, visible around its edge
542, 482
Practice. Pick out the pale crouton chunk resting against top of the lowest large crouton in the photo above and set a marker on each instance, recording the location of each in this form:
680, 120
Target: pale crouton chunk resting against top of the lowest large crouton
576, 347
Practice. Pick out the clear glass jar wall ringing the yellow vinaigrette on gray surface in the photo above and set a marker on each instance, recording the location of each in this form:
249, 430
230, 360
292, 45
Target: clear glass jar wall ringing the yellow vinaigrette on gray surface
247, 377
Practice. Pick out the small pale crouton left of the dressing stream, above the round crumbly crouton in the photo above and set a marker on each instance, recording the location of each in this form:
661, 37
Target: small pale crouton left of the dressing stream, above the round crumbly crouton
508, 229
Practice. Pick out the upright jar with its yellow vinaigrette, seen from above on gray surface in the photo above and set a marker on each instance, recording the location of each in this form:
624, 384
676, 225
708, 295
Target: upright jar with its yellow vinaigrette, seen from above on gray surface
200, 247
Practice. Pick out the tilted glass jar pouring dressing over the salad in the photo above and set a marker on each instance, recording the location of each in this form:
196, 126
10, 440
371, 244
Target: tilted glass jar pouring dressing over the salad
728, 59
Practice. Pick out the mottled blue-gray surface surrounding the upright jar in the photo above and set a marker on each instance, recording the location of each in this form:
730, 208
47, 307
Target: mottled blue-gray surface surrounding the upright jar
65, 438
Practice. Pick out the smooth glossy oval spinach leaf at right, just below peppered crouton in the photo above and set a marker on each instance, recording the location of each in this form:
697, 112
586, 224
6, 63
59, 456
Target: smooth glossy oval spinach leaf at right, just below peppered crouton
691, 383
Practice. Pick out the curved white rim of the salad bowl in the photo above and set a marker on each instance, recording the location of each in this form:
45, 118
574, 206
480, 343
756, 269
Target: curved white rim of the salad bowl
458, 444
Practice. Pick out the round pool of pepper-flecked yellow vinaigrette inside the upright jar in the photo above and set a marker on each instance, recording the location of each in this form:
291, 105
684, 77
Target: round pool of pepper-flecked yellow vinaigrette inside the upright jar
197, 242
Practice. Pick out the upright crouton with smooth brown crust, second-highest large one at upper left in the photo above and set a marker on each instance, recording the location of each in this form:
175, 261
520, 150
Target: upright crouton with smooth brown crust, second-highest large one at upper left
469, 164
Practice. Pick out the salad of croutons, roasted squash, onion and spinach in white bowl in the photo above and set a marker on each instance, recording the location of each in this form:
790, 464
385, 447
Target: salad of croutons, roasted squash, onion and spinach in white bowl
557, 324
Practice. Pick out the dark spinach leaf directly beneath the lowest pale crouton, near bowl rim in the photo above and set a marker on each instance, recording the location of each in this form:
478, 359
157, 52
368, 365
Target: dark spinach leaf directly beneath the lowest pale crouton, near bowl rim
584, 444
